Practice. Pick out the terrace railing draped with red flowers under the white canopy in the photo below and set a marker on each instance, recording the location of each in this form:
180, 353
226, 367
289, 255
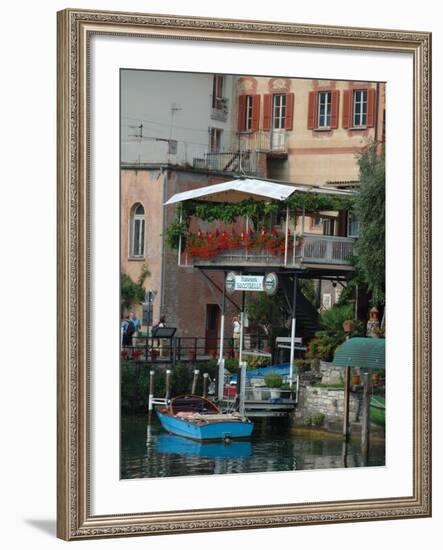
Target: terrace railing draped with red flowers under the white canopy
269, 251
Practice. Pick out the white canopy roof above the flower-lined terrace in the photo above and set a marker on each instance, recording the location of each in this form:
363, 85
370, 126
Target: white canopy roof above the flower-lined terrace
248, 188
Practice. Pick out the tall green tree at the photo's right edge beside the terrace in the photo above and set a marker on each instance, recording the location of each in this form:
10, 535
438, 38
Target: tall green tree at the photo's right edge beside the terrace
370, 211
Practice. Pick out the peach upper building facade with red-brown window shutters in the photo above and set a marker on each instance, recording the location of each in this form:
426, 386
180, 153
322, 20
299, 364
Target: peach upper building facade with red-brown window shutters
309, 131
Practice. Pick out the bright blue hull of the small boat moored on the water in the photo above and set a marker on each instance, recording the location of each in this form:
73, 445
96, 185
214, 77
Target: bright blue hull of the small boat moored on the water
212, 430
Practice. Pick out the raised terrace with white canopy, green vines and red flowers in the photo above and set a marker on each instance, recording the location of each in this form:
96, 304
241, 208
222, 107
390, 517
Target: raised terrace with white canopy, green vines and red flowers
239, 229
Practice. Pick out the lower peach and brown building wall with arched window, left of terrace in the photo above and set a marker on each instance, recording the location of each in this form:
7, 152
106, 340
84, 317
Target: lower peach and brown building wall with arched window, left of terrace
187, 299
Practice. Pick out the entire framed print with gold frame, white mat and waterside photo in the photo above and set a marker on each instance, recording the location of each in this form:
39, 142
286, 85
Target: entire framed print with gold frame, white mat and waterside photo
244, 274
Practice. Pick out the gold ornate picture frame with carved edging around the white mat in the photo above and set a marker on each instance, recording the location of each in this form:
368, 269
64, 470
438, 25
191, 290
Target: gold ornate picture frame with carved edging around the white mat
75, 31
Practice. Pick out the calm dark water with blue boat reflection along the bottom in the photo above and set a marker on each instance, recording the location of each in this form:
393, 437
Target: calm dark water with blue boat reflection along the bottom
148, 451
